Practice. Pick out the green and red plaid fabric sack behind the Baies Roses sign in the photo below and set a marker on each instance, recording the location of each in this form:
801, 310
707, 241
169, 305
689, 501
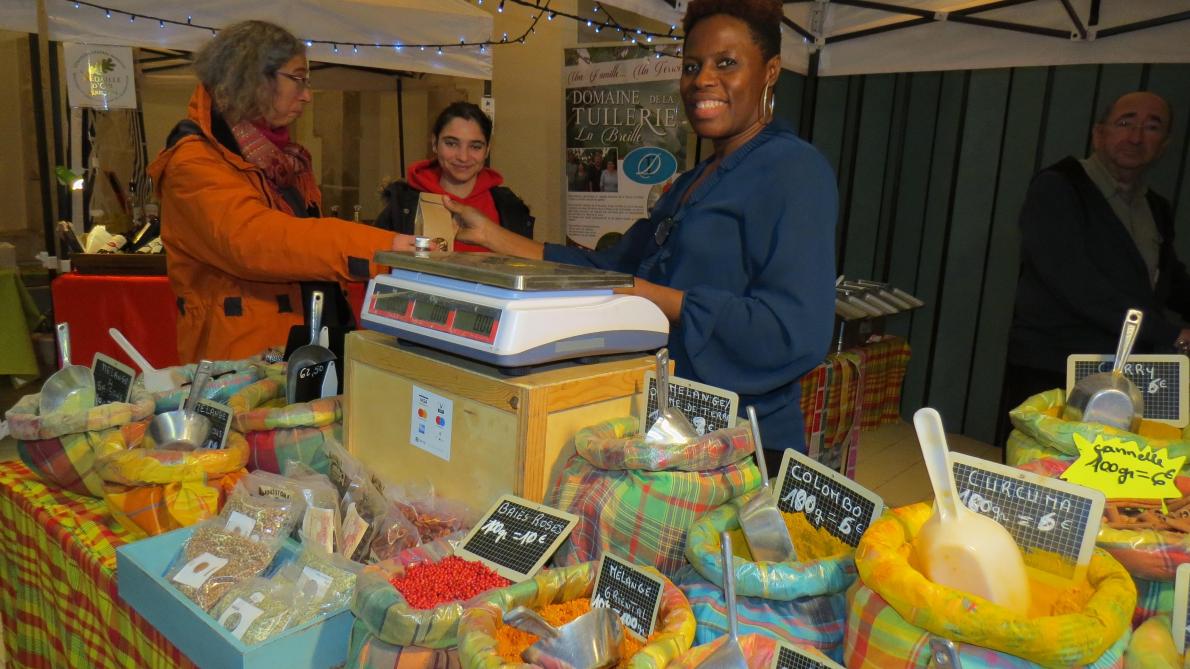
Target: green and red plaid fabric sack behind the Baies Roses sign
641, 515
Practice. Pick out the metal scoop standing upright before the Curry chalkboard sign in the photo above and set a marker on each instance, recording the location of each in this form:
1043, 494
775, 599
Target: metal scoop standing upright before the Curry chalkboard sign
1110, 397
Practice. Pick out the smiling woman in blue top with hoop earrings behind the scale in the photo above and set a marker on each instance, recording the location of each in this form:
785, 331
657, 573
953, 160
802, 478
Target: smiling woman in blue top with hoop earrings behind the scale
741, 253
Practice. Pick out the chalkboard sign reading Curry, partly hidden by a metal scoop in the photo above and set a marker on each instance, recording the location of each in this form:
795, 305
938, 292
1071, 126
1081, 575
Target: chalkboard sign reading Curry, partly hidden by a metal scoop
1161, 379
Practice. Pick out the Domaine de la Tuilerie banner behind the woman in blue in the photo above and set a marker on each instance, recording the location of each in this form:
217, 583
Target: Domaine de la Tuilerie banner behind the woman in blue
627, 137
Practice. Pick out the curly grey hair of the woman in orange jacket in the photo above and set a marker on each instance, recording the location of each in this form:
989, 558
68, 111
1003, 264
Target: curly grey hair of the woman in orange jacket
239, 67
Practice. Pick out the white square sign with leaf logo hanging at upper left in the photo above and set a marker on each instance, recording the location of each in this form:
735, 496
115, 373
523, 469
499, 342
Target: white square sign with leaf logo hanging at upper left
101, 77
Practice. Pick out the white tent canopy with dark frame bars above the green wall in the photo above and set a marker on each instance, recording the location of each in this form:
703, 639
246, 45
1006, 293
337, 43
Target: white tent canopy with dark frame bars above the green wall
862, 37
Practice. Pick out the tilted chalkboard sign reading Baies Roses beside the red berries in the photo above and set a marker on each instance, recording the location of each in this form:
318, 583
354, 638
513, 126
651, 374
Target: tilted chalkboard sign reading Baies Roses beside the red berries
516, 537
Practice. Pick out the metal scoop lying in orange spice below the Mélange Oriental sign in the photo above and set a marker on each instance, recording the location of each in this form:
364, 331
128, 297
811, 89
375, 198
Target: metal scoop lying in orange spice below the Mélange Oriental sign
588, 642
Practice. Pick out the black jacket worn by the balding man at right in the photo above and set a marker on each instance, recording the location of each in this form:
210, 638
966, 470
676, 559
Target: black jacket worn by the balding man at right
1081, 272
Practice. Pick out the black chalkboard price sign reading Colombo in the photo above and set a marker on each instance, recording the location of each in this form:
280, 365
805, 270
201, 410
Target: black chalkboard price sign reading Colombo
829, 499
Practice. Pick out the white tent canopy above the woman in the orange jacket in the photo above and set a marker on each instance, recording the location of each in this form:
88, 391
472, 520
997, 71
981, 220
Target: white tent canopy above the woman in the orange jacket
354, 27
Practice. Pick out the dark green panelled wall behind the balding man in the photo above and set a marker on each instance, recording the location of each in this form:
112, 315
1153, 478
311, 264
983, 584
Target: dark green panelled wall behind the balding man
934, 168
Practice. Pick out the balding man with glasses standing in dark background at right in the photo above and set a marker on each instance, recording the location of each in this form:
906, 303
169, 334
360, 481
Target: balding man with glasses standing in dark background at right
1095, 242
